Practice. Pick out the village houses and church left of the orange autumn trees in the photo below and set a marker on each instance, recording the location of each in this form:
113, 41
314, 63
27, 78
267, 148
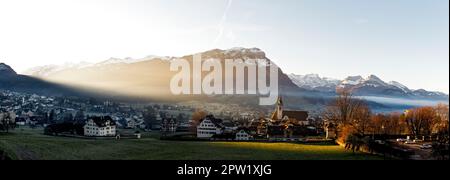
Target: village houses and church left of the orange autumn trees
85, 117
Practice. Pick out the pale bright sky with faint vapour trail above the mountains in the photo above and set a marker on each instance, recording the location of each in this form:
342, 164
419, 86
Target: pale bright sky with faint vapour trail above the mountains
401, 40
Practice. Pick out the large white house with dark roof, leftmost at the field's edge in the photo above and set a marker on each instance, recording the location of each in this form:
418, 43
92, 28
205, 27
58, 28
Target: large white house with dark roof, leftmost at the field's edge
100, 127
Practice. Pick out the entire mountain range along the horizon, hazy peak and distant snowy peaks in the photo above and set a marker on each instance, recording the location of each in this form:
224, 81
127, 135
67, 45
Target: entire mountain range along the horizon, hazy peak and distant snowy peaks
149, 78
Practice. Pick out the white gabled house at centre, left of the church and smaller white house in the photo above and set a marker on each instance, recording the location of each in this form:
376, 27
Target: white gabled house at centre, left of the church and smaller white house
209, 127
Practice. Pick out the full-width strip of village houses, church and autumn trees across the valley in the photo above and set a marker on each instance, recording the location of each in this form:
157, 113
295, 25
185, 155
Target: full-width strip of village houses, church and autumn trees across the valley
76, 118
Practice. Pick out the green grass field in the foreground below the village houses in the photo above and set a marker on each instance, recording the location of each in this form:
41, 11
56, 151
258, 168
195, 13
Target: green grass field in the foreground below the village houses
28, 144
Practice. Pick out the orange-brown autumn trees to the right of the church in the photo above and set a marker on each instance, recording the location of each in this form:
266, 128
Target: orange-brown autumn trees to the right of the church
355, 125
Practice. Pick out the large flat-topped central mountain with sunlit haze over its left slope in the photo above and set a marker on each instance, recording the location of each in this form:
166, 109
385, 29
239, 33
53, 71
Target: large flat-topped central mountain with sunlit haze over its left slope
150, 77
